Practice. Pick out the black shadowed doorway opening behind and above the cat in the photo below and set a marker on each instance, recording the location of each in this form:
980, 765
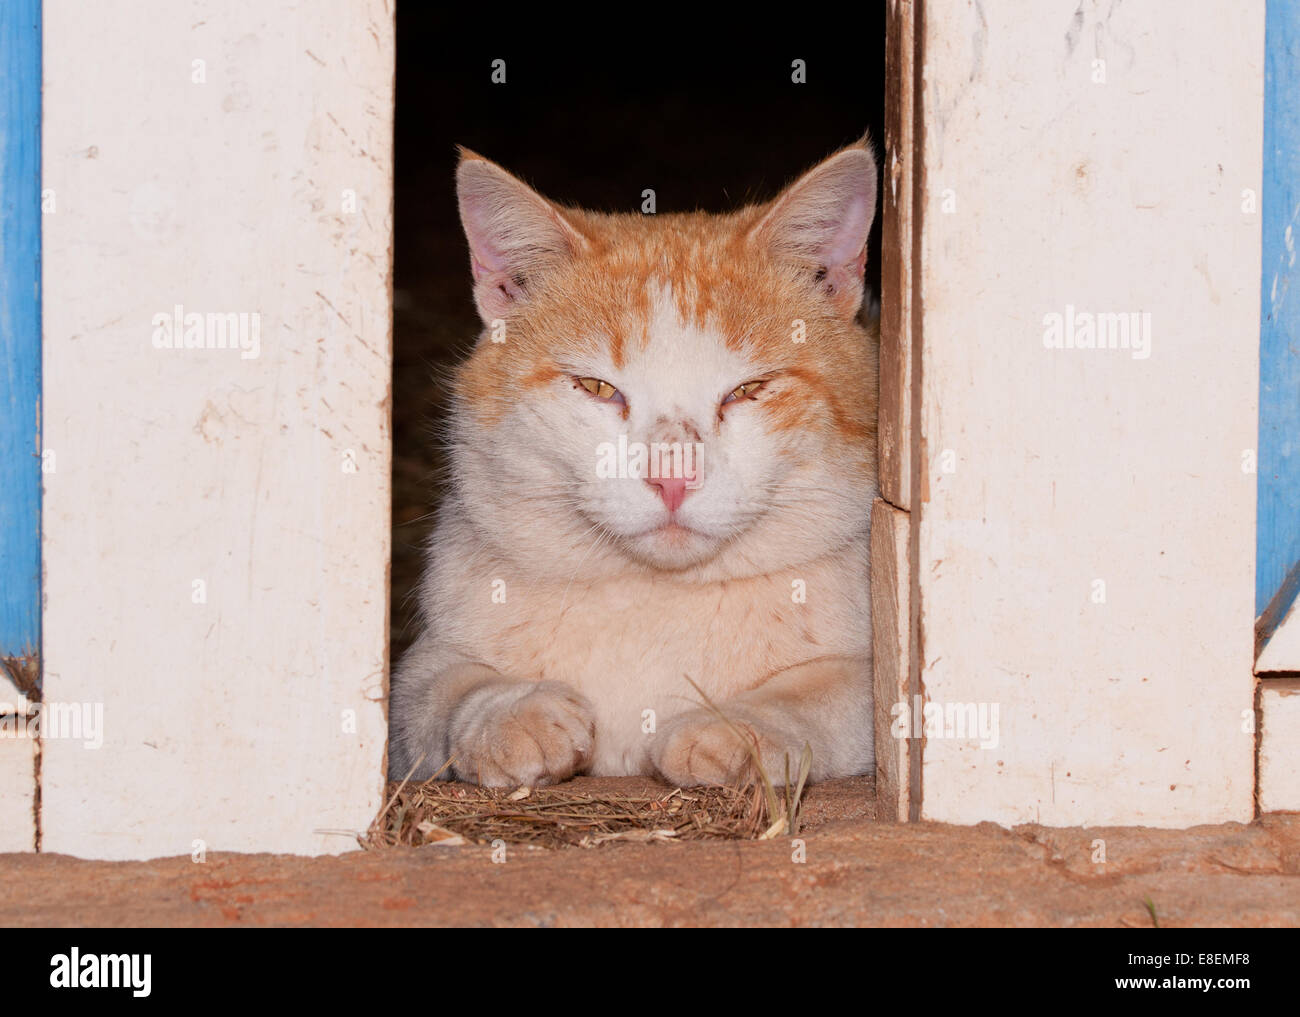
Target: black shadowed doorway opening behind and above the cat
707, 124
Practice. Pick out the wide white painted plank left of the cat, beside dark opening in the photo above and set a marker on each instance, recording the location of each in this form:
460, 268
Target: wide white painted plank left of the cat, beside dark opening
245, 713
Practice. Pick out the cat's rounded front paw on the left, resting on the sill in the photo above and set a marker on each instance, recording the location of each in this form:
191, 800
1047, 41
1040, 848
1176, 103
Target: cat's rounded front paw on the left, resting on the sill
515, 733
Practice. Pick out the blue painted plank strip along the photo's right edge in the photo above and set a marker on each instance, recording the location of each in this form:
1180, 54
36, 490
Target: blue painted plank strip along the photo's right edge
1279, 516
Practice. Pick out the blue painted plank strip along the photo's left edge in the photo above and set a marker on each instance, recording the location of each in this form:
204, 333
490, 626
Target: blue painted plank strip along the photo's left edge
20, 327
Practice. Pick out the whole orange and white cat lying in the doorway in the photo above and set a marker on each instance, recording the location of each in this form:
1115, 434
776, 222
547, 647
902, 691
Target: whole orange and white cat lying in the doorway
571, 599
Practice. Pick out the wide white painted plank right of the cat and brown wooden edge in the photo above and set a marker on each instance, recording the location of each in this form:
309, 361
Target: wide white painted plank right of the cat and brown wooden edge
1048, 471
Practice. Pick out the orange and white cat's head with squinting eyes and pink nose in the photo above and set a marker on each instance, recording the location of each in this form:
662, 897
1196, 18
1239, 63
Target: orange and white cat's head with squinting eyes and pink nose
686, 393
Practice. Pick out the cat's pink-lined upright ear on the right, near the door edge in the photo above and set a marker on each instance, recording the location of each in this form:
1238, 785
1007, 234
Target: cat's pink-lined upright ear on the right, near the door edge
822, 222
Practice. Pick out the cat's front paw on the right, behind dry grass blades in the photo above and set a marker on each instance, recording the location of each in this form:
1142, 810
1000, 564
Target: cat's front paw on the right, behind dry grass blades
700, 748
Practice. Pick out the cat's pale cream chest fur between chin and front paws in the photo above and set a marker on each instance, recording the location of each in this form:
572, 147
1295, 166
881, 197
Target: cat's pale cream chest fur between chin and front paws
631, 646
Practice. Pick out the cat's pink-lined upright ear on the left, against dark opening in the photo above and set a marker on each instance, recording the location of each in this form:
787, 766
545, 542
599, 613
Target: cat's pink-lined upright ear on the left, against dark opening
515, 235
